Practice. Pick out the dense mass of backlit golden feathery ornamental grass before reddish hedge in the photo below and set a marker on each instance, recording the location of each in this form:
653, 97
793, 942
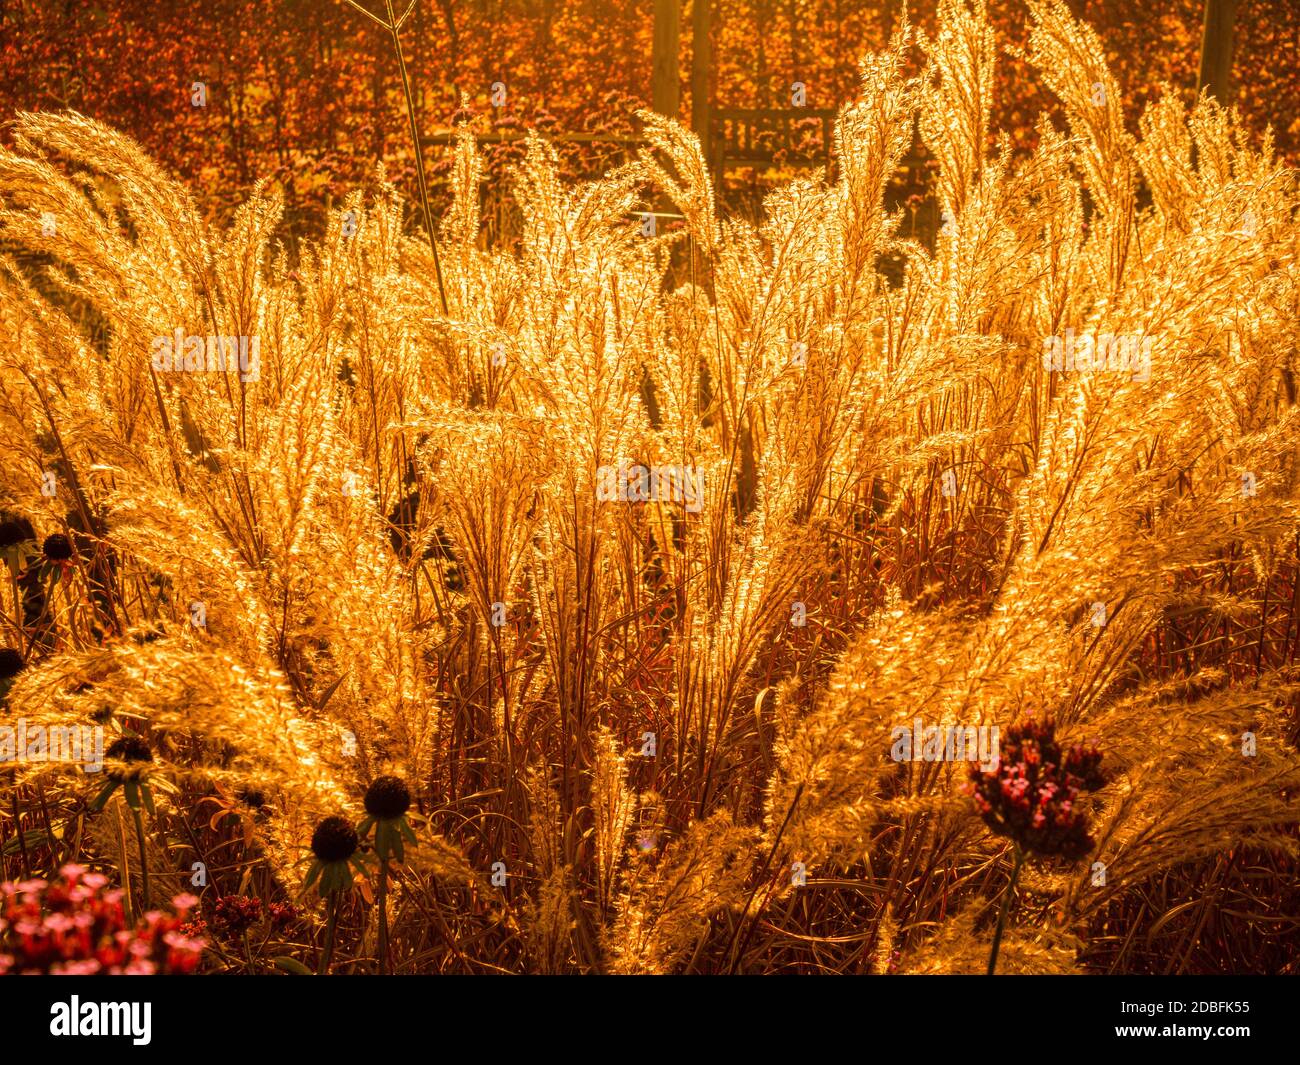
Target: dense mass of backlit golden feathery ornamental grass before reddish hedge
606, 594
